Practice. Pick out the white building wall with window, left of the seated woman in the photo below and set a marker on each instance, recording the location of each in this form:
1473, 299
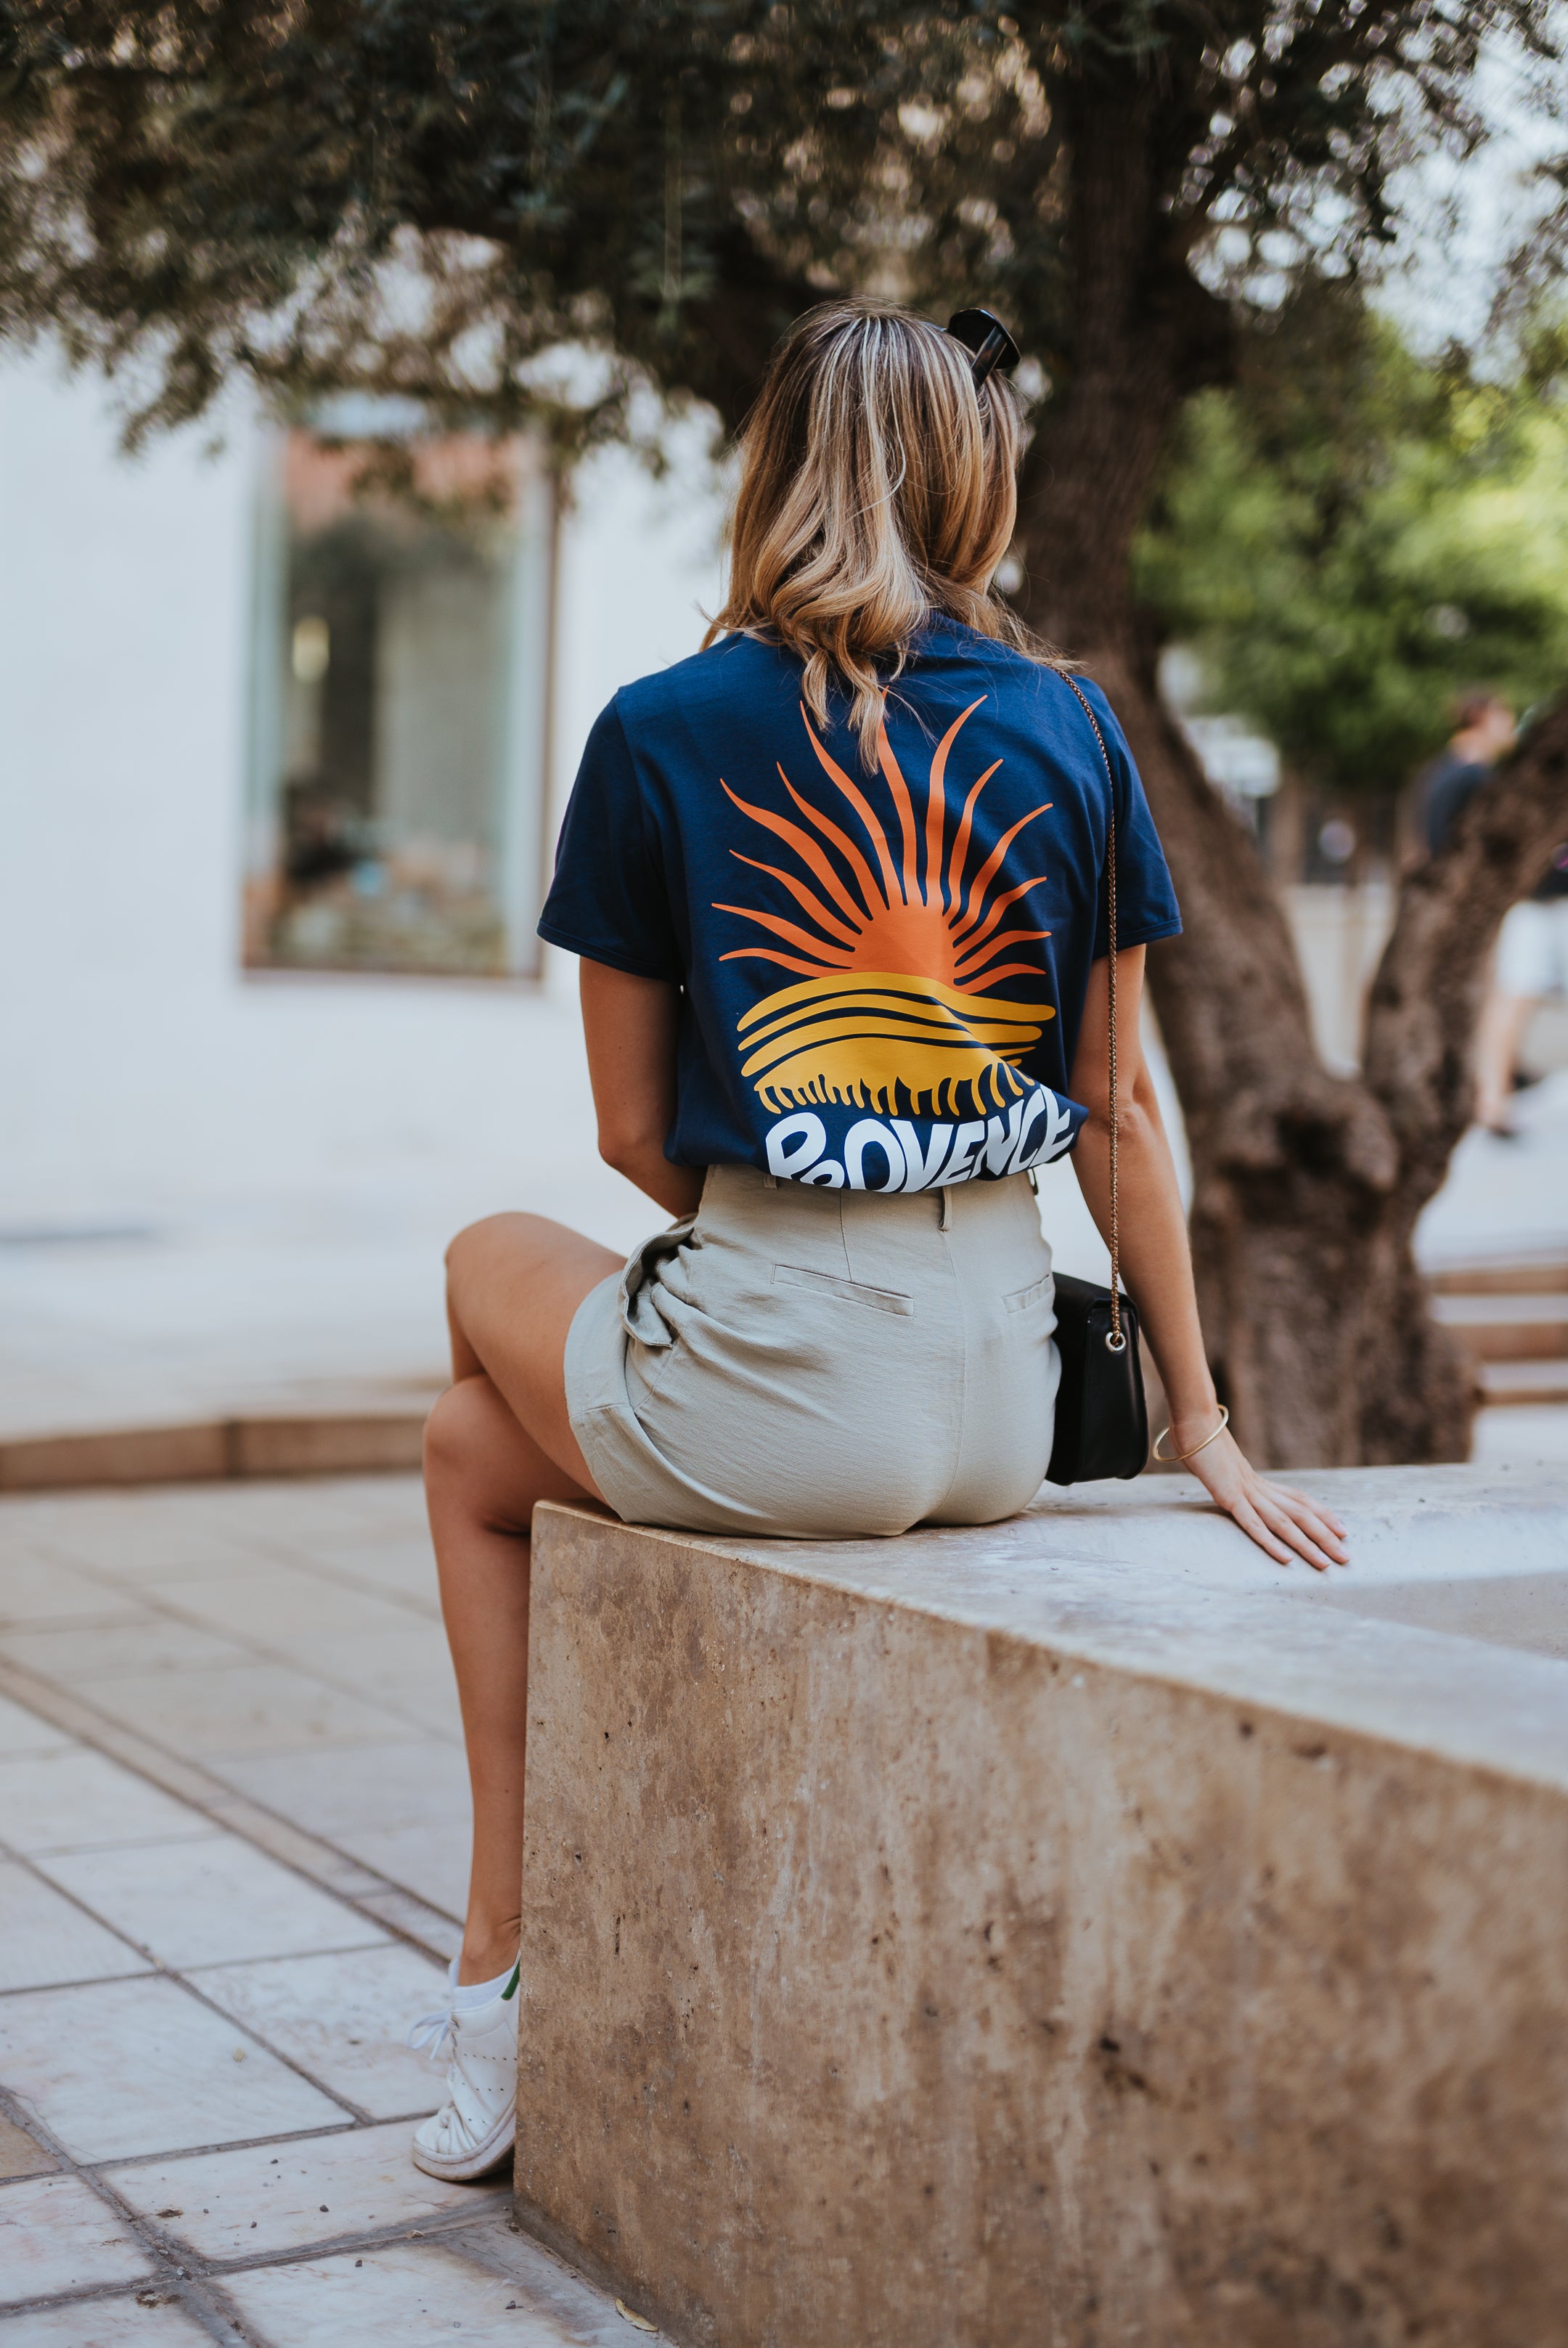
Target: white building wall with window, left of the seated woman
158, 677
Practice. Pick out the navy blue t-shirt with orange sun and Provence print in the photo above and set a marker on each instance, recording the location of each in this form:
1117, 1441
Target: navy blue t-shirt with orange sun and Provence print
884, 973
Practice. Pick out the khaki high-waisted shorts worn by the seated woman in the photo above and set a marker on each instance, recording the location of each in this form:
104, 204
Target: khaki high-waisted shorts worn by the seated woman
806, 1361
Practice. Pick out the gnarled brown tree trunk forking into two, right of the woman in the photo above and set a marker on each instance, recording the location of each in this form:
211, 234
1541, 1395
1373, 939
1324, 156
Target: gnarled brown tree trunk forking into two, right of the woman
1306, 1185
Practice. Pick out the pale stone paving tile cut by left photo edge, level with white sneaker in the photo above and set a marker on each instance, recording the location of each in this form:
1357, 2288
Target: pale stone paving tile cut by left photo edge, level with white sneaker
144, 2067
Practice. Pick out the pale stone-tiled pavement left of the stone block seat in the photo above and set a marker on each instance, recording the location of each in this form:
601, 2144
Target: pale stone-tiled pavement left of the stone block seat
234, 1840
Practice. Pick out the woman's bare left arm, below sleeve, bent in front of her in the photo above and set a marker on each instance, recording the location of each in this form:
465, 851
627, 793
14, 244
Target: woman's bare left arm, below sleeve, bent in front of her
633, 1030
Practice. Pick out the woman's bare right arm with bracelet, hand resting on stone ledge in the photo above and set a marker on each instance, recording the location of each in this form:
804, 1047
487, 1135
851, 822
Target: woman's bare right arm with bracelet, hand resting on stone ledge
1158, 1271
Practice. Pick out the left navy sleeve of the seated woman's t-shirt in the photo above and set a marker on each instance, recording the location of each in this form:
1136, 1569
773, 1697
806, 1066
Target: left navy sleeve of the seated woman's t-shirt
609, 900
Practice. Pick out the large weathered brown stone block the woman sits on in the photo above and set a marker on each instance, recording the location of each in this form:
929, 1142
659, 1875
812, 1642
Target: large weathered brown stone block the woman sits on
1076, 1931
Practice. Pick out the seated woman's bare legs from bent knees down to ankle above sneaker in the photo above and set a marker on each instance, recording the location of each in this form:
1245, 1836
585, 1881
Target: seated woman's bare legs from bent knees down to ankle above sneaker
496, 1443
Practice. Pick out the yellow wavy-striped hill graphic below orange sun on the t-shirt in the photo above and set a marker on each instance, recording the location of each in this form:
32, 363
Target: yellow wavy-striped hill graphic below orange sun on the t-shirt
888, 1041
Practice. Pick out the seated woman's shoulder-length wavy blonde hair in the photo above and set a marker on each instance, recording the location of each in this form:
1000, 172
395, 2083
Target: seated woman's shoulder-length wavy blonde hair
877, 487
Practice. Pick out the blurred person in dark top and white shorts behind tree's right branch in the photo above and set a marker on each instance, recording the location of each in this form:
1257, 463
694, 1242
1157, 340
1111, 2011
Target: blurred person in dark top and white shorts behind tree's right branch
1534, 940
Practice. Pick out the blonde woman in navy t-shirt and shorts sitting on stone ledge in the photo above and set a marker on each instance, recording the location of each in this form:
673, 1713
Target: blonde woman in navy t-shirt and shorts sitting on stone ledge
842, 893
